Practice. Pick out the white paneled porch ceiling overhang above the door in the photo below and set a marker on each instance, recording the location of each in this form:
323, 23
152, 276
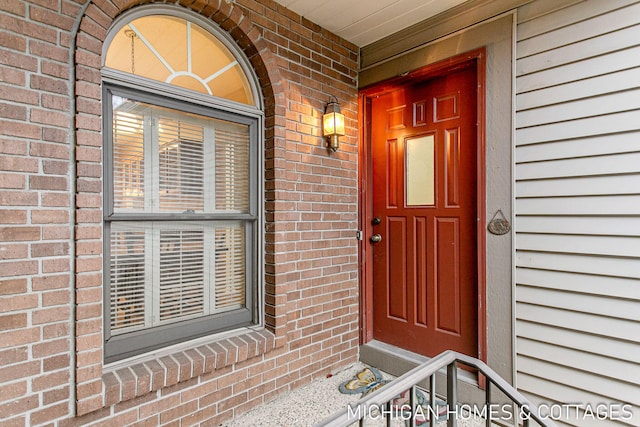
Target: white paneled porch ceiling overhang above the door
365, 21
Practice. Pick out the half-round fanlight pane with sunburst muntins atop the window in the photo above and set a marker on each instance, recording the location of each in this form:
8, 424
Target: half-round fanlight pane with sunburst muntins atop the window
175, 51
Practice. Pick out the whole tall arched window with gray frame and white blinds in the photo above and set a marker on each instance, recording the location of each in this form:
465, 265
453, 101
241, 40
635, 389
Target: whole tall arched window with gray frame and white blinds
181, 184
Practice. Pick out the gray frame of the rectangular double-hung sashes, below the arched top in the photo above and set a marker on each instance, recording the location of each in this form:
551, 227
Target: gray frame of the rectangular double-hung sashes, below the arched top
130, 344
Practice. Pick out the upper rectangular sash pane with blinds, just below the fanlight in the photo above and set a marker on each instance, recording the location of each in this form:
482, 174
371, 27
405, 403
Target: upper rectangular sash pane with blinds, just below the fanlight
170, 161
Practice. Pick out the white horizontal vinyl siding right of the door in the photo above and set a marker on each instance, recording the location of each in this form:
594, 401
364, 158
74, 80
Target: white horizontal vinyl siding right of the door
577, 189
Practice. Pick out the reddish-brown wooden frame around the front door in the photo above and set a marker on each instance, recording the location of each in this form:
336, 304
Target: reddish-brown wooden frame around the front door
477, 57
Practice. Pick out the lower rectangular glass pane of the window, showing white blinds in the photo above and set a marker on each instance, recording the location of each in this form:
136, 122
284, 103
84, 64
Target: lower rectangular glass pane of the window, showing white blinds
164, 272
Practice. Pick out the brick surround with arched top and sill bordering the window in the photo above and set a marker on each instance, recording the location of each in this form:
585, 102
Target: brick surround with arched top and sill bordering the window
96, 389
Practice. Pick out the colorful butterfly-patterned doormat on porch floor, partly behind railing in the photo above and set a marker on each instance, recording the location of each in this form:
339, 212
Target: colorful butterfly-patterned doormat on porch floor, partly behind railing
370, 379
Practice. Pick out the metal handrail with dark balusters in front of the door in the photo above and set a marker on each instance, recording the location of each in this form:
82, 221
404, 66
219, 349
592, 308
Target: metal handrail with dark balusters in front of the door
382, 399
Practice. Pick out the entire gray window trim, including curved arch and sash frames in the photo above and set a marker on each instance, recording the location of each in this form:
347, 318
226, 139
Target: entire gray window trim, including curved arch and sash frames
151, 91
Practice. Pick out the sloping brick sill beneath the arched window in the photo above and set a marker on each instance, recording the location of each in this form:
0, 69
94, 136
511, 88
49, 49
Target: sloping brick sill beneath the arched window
141, 378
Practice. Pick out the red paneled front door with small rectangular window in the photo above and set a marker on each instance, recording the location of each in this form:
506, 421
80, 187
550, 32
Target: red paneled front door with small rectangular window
424, 209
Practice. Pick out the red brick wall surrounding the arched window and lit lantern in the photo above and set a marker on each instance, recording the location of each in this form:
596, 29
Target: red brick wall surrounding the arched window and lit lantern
51, 370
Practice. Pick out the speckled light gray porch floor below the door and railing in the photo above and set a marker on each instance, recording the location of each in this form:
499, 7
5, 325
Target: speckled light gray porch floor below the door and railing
312, 403
